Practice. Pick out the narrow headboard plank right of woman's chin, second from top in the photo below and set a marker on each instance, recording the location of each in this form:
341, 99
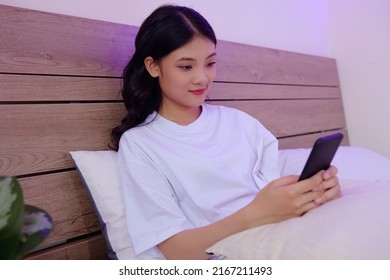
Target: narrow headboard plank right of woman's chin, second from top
261, 91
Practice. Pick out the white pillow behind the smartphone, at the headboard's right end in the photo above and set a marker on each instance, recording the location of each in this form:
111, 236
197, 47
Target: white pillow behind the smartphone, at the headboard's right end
352, 163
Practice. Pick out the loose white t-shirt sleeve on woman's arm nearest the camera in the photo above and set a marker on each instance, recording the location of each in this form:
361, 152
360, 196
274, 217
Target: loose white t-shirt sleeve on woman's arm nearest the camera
152, 210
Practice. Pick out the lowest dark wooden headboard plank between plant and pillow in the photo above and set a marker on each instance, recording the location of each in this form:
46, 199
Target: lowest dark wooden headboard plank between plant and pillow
90, 248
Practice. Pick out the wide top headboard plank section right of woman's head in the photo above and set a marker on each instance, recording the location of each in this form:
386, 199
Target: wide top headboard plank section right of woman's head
252, 64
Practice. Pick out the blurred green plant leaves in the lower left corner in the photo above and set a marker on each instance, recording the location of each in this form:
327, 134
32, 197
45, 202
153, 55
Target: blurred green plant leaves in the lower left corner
22, 227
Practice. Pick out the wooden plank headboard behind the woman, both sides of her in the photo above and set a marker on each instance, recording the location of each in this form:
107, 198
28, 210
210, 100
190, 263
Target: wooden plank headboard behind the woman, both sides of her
60, 91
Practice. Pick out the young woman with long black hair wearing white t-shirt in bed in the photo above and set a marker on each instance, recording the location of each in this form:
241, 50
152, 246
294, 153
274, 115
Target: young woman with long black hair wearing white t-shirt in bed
193, 173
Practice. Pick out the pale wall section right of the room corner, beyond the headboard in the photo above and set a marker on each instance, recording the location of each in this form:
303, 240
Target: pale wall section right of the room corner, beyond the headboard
360, 41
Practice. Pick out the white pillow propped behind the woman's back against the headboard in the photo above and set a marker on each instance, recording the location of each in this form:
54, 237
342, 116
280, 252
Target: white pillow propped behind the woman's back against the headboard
99, 171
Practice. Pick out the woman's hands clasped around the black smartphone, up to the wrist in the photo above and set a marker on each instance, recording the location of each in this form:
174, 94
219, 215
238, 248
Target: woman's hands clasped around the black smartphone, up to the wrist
285, 198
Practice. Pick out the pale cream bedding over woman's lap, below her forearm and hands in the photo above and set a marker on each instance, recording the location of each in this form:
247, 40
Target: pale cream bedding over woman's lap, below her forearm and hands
354, 226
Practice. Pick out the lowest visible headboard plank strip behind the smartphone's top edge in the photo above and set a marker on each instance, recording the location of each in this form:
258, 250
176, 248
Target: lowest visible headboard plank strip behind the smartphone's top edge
307, 141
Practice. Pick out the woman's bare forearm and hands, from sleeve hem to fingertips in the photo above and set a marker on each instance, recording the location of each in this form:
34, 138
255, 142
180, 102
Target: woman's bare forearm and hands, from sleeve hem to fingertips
281, 199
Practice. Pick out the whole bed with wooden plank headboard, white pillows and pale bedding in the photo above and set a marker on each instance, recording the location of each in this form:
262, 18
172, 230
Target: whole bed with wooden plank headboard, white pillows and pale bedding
60, 96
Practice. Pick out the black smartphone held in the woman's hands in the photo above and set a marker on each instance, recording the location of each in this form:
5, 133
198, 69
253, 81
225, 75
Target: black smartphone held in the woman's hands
321, 155
